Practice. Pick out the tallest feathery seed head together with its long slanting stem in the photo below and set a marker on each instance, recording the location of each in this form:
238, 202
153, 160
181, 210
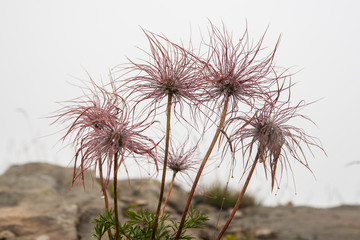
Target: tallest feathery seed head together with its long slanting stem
234, 73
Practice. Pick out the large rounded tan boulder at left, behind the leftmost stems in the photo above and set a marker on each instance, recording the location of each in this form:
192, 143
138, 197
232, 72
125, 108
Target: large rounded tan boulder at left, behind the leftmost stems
40, 203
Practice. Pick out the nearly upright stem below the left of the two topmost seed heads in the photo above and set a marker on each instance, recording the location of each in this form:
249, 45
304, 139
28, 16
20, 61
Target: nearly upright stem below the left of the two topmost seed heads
167, 140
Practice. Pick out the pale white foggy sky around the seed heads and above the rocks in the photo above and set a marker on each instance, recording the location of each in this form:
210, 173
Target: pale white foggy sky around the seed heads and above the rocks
45, 44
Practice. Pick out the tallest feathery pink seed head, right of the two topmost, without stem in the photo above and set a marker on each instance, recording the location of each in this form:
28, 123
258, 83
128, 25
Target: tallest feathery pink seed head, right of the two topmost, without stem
236, 72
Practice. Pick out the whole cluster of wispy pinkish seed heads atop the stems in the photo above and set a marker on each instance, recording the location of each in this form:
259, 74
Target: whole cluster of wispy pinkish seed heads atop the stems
238, 72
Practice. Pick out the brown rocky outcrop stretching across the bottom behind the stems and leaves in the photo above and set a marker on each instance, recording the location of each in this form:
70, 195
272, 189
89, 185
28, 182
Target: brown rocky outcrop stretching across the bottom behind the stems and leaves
37, 203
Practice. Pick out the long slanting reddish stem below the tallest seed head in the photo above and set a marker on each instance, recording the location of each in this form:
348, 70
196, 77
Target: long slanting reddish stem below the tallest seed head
212, 145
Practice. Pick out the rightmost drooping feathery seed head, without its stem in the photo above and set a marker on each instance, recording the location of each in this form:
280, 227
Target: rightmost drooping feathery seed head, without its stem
275, 140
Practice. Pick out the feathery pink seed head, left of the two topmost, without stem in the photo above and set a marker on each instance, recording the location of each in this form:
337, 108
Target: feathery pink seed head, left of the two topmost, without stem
171, 71
